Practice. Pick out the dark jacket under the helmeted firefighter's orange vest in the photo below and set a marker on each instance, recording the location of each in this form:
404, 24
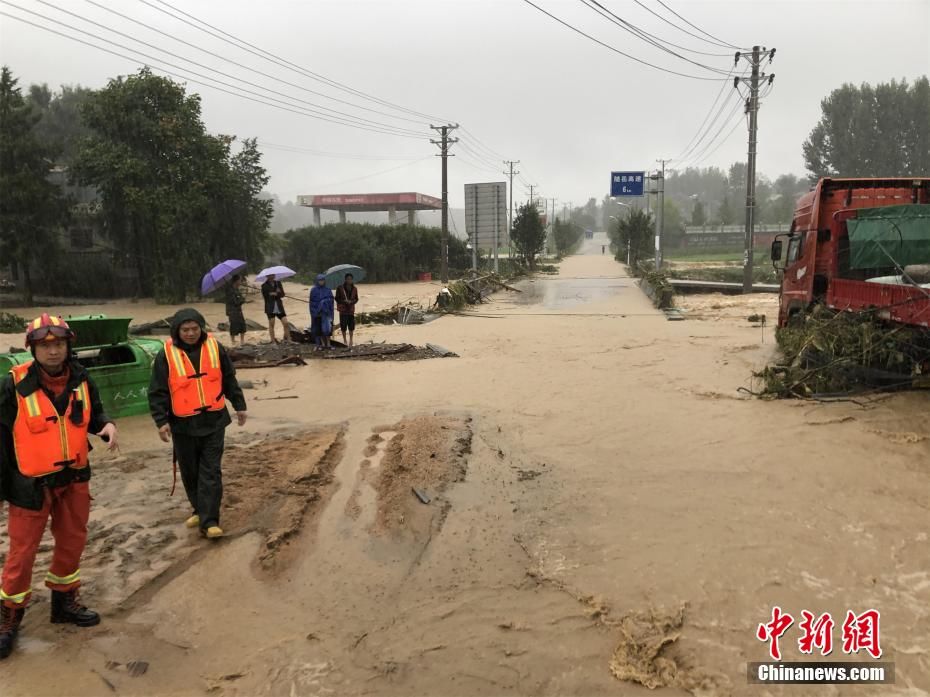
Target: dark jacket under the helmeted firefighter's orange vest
29, 492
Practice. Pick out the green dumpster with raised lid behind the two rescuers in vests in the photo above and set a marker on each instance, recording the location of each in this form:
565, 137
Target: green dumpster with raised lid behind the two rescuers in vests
120, 366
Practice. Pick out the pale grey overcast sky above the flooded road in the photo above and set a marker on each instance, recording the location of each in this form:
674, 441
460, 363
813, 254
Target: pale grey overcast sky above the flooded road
522, 86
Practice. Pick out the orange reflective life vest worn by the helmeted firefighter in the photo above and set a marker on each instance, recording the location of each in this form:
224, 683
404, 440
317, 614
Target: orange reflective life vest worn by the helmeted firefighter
44, 441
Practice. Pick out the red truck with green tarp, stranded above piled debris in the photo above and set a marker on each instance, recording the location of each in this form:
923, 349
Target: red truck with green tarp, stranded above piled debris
822, 264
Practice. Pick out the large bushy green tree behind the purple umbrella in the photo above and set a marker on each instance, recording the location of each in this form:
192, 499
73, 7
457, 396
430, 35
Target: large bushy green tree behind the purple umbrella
174, 201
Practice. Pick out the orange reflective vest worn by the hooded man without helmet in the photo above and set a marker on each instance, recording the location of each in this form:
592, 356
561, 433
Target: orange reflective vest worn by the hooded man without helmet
192, 392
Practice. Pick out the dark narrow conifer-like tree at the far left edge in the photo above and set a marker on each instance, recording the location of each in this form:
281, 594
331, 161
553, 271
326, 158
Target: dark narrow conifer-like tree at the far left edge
31, 207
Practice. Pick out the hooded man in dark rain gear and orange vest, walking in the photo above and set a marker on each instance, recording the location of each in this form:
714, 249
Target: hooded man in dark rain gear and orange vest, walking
192, 378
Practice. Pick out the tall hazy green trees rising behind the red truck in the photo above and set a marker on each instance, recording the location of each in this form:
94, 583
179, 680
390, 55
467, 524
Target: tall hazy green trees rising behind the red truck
867, 131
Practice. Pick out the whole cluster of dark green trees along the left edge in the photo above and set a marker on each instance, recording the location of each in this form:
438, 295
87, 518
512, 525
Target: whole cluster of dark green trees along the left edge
169, 199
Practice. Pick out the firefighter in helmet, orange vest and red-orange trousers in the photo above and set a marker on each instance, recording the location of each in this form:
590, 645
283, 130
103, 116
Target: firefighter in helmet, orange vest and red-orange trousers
47, 408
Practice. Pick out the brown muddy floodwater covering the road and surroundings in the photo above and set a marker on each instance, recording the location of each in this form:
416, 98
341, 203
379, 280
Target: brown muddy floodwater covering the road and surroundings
605, 514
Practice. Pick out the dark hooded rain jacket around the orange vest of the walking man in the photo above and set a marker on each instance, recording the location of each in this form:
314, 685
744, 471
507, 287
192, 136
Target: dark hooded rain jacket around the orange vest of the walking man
160, 396
